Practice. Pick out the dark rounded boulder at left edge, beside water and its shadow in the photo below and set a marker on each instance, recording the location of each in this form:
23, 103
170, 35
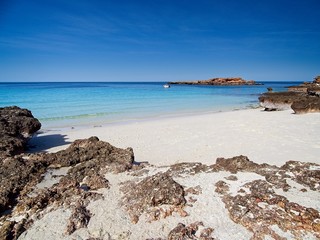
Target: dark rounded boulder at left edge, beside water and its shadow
16, 125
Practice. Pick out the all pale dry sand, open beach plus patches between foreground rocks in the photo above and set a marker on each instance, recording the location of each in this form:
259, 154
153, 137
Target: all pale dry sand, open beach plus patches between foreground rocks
265, 137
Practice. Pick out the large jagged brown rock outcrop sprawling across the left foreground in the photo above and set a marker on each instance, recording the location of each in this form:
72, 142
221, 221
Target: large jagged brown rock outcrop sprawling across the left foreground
89, 158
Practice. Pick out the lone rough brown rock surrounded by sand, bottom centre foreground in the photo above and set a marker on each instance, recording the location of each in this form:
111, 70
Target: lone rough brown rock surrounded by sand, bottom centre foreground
150, 193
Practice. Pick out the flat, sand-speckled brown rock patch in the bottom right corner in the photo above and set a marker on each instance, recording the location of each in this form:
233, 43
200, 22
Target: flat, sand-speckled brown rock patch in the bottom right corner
261, 209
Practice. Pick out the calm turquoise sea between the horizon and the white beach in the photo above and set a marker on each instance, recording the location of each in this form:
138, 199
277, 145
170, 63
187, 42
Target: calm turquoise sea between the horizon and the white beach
59, 104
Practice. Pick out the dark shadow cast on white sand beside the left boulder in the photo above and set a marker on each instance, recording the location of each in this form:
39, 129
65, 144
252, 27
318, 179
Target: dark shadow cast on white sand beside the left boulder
41, 143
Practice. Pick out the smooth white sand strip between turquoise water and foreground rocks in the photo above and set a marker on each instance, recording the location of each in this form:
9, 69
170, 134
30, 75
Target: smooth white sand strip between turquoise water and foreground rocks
265, 137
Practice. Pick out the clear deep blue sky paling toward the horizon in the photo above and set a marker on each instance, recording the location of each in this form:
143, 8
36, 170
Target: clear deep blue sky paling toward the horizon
159, 40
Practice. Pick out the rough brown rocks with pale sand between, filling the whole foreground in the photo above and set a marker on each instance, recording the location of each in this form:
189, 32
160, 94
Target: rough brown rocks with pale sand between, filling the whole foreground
93, 190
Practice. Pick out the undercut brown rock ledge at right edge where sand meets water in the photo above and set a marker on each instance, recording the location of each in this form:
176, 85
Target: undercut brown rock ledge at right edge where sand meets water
304, 98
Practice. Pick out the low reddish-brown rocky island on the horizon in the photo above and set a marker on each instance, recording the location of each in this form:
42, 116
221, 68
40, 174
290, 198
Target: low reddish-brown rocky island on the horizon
219, 82
